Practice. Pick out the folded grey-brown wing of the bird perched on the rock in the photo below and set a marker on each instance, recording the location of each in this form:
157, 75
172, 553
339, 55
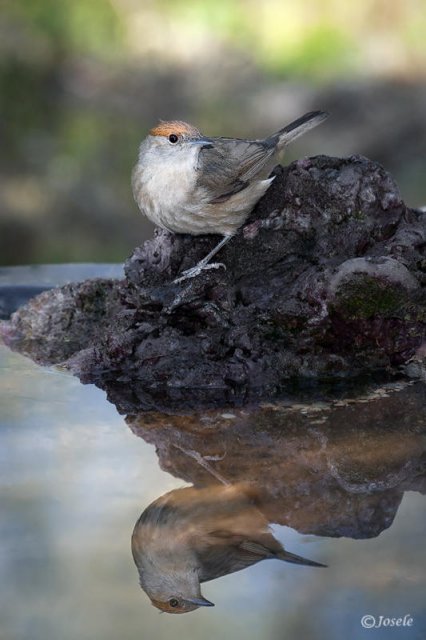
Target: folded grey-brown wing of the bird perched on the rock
228, 166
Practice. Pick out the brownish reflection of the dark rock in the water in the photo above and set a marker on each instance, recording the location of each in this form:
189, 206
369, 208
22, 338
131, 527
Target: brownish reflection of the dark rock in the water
329, 469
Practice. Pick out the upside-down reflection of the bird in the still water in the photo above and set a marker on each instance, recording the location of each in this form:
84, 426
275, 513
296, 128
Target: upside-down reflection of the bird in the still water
192, 535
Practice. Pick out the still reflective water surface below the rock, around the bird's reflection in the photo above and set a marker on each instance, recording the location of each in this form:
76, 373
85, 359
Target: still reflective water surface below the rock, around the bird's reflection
75, 477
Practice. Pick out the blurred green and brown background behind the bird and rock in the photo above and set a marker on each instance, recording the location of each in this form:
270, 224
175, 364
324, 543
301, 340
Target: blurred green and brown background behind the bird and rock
81, 82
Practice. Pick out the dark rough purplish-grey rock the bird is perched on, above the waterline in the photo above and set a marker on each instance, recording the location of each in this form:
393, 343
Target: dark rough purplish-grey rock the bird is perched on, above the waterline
327, 280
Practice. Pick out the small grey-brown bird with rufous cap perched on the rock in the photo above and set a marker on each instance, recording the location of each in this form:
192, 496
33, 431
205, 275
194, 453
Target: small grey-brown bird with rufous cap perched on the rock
186, 182
